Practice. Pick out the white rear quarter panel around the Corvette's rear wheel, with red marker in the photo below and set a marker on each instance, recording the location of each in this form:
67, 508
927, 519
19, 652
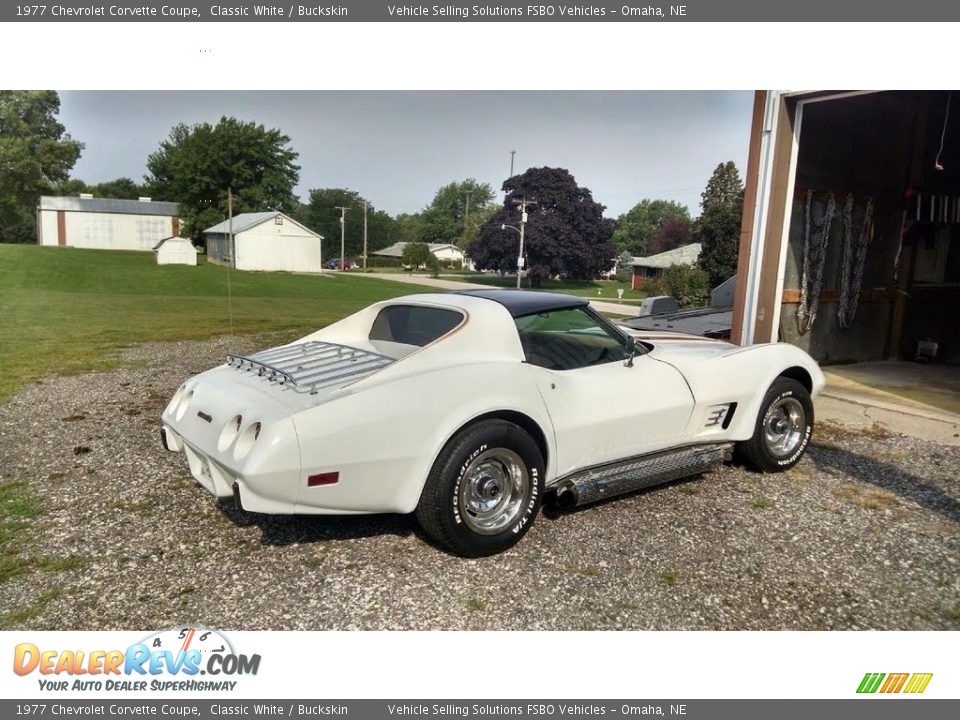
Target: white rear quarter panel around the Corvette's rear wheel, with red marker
383, 439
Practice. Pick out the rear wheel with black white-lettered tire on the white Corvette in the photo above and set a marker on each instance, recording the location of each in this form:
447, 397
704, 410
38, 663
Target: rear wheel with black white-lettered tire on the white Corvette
492, 464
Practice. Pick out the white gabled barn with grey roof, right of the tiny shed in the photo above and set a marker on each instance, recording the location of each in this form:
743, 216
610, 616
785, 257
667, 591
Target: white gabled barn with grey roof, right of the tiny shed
267, 241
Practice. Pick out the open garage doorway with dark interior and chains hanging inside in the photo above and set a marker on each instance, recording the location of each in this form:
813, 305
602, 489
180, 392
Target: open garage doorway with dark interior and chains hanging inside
853, 249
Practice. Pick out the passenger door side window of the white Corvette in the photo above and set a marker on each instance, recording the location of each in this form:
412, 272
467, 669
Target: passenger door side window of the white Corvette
569, 339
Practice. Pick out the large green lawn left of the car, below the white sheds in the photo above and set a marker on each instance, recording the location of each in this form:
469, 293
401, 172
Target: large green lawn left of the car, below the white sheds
64, 310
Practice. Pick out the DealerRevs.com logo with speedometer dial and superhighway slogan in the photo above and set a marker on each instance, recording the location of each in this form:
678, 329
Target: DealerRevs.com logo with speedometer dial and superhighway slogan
173, 659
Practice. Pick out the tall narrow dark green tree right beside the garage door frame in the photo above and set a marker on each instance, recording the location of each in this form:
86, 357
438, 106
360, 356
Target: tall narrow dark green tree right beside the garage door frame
718, 228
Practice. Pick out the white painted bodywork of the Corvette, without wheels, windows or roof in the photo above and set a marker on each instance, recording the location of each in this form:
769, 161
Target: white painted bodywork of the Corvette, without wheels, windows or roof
367, 445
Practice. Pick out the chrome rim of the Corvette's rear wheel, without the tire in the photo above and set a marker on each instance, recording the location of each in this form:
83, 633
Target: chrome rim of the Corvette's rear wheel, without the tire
494, 490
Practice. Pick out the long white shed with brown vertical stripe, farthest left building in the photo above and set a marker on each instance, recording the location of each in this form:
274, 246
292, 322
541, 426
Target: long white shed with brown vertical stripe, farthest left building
105, 223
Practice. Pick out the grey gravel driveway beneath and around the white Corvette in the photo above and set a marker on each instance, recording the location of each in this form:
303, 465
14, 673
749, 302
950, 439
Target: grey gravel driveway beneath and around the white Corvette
863, 533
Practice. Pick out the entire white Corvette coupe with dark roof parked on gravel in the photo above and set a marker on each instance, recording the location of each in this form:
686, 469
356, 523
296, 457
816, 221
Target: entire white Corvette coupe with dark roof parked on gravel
468, 407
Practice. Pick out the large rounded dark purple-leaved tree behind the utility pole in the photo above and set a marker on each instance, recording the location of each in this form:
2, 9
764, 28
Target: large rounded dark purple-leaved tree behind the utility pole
566, 233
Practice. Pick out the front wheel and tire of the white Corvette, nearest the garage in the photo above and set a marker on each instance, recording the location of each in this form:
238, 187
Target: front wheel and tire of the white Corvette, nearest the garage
782, 430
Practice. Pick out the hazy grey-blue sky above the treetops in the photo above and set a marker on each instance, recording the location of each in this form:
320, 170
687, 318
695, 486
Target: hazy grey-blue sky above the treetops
397, 148
